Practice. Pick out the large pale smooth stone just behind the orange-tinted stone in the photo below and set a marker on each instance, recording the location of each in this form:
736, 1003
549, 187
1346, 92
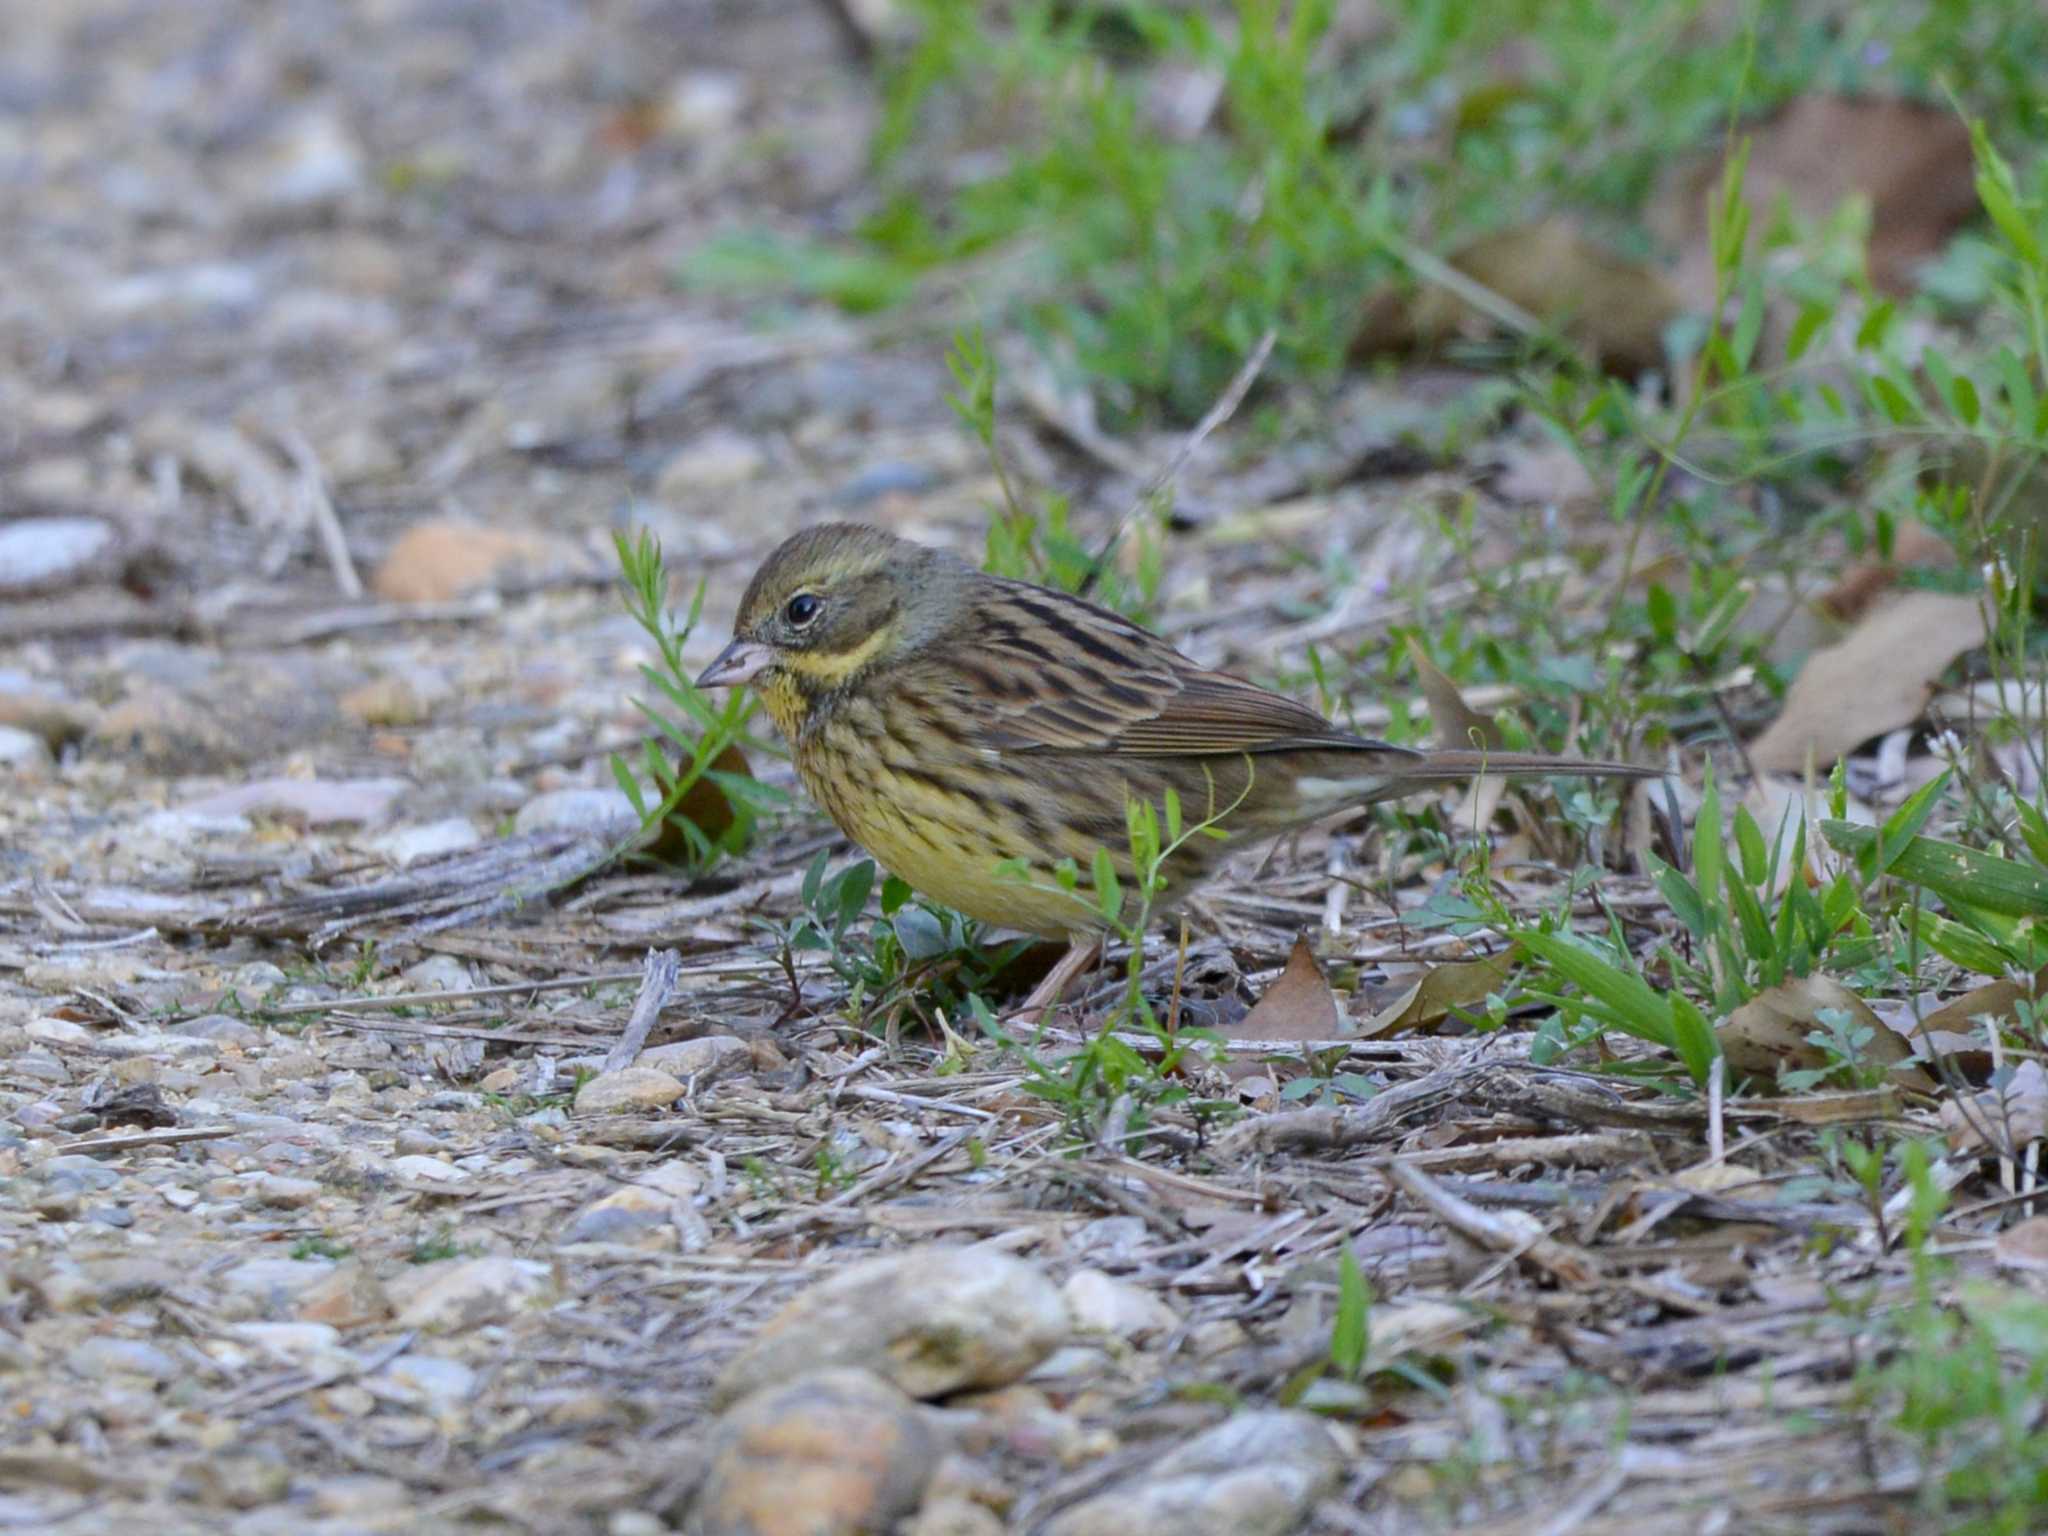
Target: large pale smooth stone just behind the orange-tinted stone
931, 1320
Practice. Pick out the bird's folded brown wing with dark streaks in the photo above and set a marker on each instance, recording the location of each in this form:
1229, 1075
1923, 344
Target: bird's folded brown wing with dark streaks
1048, 673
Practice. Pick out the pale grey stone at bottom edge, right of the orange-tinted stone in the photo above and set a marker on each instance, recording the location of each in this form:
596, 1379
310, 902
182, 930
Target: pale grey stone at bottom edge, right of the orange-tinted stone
1252, 1476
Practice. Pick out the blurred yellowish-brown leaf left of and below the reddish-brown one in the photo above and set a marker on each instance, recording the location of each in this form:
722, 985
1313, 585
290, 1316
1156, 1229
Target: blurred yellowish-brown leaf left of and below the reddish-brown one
1603, 302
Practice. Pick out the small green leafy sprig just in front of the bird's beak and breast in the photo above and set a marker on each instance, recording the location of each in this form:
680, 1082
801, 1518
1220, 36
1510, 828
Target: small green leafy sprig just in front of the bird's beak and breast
663, 787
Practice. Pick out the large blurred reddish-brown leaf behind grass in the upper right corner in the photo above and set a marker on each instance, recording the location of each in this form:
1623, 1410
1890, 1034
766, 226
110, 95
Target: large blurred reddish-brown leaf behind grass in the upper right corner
1912, 163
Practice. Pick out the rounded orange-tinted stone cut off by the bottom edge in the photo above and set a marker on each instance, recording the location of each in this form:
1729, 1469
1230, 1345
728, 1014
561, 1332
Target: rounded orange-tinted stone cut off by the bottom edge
837, 1453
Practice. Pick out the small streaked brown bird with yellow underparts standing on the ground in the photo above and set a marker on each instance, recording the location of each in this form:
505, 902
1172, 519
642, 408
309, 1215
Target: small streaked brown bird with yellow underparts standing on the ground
953, 722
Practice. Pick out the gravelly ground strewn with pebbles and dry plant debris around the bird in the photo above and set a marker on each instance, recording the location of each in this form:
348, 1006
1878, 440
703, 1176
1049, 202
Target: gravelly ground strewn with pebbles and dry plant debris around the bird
382, 1154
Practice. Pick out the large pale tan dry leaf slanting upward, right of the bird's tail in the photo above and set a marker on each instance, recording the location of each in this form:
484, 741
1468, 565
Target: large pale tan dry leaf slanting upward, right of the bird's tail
1873, 681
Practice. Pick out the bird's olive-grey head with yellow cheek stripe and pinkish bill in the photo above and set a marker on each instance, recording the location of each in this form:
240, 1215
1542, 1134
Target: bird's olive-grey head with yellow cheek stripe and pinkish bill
828, 605
